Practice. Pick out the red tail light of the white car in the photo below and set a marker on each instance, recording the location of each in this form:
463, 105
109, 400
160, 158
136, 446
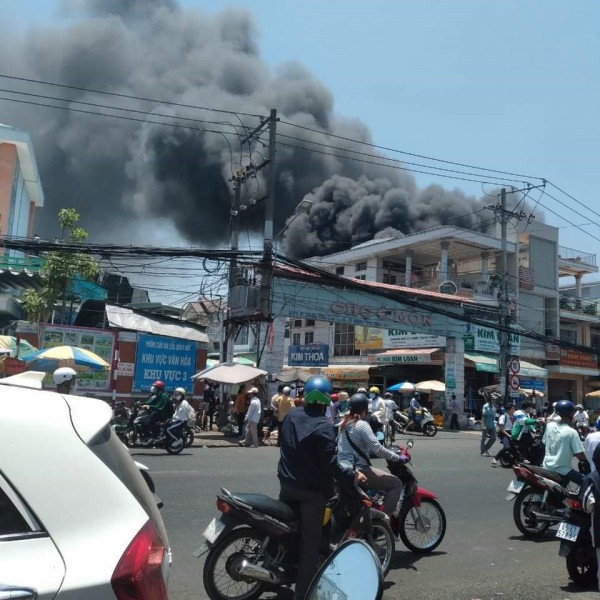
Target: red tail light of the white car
139, 575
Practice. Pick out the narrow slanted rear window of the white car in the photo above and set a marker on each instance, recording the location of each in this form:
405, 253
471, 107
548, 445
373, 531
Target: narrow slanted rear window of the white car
111, 451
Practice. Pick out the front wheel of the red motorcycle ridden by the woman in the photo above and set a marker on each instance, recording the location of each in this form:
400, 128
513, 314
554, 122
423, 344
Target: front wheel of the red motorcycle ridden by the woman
422, 530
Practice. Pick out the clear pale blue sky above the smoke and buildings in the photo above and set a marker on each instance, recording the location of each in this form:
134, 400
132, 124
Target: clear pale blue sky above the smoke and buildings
508, 85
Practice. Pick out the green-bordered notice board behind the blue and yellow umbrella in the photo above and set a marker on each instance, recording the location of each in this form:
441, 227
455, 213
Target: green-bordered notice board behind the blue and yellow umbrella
98, 341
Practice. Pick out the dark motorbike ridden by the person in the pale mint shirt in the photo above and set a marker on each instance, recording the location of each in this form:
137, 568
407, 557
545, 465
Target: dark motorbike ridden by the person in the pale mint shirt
538, 495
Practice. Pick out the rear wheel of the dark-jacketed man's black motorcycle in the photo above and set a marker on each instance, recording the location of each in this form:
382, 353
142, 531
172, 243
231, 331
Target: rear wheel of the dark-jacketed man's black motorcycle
220, 580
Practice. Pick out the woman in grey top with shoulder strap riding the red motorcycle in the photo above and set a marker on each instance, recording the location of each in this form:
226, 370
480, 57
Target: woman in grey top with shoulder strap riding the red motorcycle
357, 443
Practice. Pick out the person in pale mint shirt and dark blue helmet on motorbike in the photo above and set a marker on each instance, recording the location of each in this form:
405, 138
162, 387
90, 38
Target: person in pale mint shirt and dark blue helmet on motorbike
562, 443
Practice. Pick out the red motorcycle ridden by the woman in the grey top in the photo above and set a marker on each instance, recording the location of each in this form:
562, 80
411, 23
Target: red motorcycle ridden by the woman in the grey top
421, 519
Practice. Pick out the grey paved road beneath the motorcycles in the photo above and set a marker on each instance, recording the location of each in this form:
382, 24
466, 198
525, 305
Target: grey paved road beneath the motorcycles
482, 556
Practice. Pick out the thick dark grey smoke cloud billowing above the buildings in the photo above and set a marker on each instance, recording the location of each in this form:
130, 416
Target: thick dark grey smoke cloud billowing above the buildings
121, 175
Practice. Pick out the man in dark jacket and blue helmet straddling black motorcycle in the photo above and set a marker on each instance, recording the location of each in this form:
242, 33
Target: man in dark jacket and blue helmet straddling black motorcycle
307, 468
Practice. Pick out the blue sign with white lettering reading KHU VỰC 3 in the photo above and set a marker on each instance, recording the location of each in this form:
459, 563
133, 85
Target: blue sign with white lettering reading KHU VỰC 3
170, 360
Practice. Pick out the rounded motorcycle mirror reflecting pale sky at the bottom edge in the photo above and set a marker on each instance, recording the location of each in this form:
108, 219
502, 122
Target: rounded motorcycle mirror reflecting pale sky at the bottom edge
352, 572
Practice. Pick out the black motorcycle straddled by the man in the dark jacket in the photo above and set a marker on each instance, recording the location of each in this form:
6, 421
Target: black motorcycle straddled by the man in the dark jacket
252, 546
